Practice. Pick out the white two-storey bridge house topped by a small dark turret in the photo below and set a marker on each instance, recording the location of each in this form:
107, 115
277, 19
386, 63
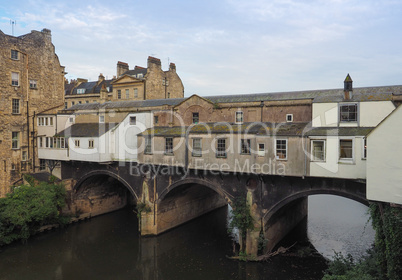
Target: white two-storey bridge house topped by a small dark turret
340, 124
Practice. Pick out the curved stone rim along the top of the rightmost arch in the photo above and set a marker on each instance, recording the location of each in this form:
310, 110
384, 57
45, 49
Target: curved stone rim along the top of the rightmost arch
279, 205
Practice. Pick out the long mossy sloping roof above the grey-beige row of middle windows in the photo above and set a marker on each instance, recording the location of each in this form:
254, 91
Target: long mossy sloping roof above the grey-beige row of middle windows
279, 129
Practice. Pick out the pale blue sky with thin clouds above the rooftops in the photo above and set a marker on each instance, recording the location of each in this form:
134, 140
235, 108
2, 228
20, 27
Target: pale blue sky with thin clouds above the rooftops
224, 46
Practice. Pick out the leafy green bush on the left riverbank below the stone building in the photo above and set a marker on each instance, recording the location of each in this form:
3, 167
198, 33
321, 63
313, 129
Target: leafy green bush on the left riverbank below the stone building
29, 207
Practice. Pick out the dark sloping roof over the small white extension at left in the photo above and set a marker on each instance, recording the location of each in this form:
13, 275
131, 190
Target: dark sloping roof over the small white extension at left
86, 130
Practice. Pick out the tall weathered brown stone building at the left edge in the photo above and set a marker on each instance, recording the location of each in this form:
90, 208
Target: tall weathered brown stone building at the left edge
32, 81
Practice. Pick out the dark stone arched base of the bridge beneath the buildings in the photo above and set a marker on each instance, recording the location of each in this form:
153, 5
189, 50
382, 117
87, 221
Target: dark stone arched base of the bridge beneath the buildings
170, 197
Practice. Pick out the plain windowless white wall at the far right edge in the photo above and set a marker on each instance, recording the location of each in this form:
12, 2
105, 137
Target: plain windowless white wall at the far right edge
384, 160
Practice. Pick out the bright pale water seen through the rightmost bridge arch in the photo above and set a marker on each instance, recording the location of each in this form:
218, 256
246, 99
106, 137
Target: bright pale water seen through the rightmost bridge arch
339, 224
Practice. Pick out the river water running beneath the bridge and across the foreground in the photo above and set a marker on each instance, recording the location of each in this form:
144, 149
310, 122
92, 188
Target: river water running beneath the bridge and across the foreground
109, 247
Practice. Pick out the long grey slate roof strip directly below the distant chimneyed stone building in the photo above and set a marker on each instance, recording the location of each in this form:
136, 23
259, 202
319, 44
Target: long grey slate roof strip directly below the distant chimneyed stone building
127, 104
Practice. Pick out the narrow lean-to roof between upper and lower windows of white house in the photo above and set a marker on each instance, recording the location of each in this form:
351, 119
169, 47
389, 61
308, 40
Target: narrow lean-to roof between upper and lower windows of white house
339, 131
